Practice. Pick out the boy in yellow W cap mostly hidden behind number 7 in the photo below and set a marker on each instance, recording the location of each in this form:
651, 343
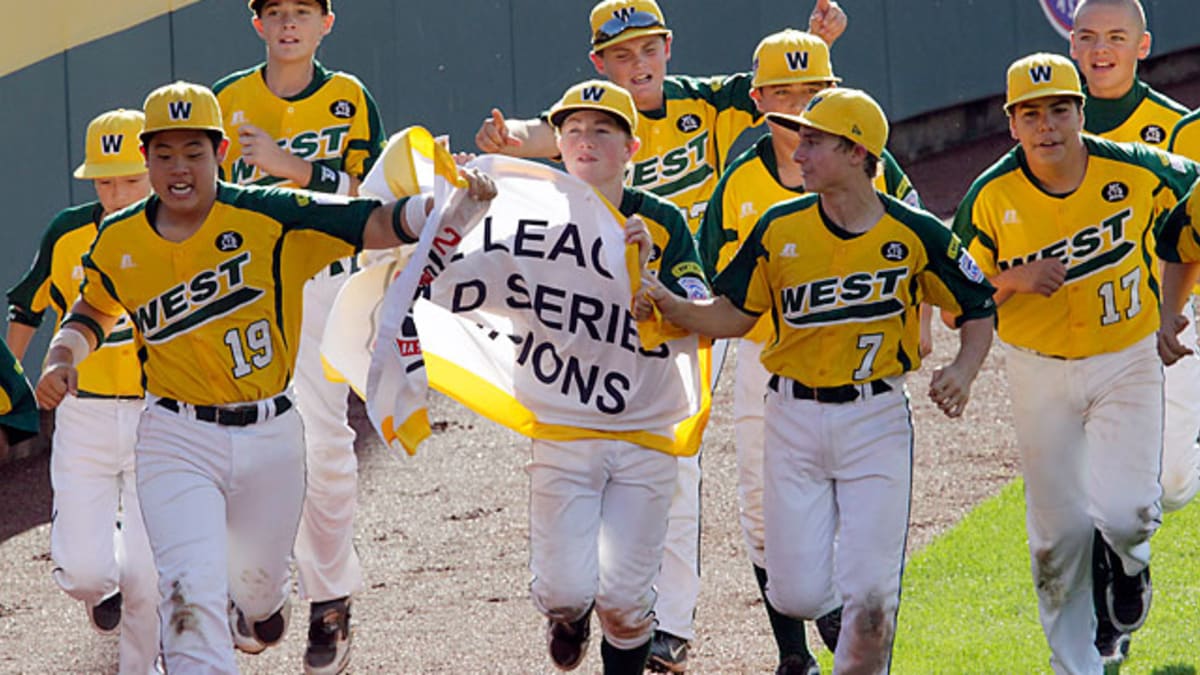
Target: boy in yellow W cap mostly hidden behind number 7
790, 68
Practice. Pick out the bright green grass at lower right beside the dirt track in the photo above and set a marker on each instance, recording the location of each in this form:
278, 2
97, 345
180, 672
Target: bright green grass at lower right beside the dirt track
969, 605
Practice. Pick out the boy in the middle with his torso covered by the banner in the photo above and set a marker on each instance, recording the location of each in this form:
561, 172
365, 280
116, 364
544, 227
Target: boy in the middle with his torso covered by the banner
599, 507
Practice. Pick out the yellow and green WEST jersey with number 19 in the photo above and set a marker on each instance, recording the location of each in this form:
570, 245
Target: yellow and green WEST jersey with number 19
219, 314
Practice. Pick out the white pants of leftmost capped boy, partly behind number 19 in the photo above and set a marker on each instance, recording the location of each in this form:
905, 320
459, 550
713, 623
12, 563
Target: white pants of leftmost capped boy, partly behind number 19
92, 471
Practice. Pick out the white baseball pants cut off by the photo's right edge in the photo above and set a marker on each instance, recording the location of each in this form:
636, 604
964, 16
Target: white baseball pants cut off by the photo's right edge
1181, 455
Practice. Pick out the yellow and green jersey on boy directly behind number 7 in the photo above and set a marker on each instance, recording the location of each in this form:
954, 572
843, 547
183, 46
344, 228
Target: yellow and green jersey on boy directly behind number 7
752, 186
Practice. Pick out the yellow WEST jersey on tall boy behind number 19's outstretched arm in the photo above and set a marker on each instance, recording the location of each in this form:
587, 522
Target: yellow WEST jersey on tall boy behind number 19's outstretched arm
334, 123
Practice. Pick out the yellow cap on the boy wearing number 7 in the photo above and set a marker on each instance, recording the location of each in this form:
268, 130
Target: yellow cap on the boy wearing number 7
848, 114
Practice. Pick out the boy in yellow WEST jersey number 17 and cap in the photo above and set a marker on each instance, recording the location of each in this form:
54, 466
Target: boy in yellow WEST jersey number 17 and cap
1064, 226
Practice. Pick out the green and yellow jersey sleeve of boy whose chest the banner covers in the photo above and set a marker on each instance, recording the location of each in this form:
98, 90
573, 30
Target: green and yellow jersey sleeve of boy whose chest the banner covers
674, 258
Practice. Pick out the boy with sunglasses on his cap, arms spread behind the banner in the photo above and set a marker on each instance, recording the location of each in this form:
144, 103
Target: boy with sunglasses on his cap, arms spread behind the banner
688, 126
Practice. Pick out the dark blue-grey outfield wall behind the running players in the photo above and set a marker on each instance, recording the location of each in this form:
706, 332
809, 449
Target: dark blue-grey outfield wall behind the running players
446, 64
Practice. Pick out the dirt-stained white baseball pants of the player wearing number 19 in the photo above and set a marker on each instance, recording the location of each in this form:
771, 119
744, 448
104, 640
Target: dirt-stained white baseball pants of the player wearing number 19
221, 506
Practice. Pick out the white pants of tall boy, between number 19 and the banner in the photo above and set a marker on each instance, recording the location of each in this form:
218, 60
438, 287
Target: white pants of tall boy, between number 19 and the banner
327, 563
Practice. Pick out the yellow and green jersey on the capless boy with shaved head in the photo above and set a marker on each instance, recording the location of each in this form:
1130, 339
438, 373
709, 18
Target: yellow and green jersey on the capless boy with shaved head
1143, 116
